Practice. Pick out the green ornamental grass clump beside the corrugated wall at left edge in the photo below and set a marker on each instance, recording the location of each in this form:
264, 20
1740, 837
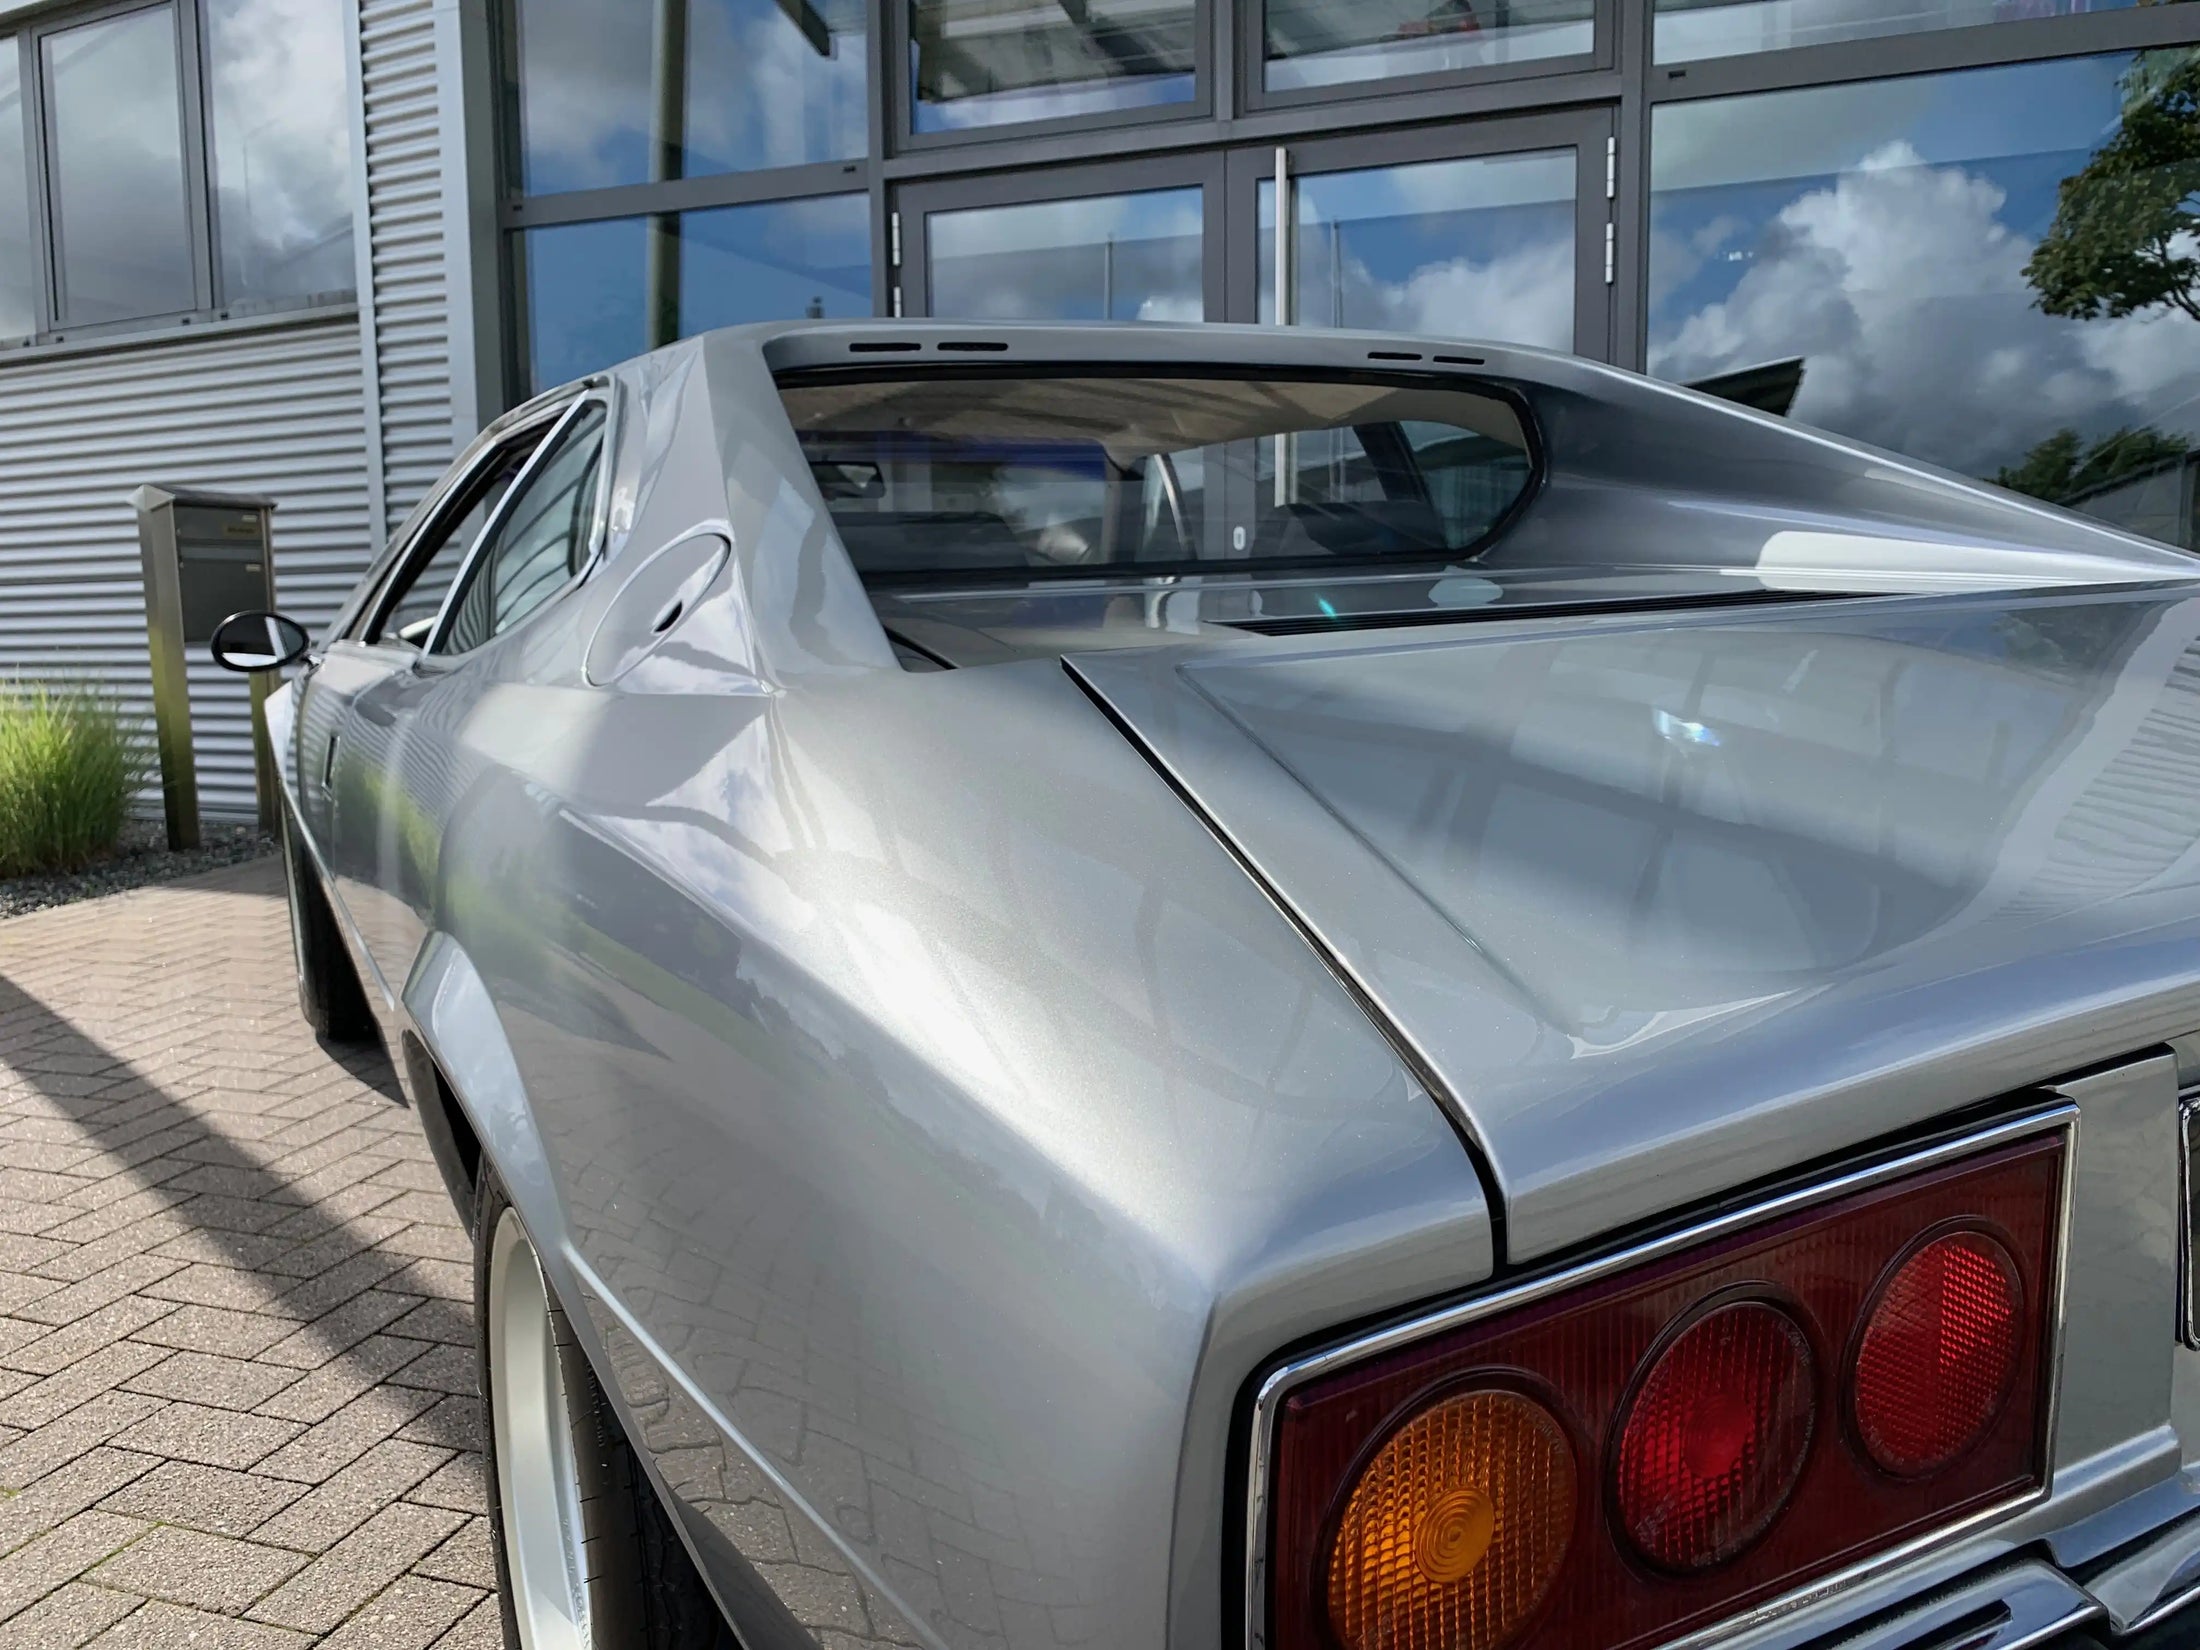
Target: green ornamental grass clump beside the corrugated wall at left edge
69, 767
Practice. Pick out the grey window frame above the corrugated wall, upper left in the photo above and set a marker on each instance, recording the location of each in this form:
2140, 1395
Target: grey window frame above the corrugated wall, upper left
201, 195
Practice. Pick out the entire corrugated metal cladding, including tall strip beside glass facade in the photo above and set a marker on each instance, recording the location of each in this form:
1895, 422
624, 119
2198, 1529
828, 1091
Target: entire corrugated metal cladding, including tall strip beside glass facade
342, 417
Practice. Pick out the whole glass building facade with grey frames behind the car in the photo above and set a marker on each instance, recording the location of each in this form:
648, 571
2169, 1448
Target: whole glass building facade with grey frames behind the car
1961, 230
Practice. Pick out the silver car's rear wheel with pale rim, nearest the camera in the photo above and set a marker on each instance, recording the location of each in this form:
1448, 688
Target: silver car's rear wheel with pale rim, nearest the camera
586, 1556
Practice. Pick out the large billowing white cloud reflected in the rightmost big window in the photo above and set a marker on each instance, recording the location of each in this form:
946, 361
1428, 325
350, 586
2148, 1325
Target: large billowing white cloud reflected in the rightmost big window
1904, 291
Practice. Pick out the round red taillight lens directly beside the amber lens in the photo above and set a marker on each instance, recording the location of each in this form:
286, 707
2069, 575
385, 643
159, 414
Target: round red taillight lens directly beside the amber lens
1715, 1438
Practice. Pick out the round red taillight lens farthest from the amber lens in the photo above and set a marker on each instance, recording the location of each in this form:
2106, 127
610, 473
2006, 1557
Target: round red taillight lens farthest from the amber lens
1939, 1354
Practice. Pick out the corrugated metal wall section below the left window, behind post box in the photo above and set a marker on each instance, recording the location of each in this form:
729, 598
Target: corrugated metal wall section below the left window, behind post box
274, 410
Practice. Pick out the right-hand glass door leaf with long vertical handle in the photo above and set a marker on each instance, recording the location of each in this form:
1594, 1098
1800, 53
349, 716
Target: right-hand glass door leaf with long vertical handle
1490, 232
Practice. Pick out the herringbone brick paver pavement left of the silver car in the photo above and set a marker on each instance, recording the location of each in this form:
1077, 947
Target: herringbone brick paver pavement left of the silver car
236, 1345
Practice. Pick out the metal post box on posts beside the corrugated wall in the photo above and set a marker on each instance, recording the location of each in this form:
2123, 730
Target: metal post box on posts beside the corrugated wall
208, 555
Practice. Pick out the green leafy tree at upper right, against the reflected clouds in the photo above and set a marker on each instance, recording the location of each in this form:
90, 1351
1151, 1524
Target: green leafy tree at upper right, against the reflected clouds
2126, 230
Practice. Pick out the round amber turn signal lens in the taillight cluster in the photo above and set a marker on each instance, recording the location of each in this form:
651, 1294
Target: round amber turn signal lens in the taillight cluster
1455, 1530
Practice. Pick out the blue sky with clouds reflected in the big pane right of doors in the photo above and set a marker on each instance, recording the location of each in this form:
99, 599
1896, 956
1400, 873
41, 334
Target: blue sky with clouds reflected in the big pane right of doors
1882, 234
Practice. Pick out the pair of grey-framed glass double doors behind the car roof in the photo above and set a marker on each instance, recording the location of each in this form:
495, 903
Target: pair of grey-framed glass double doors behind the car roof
1490, 230
